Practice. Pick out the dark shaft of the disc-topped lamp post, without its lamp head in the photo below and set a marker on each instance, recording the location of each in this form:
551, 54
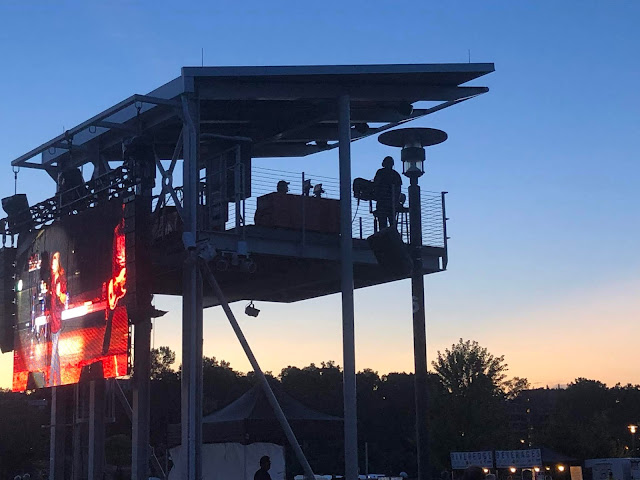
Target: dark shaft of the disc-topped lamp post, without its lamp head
419, 330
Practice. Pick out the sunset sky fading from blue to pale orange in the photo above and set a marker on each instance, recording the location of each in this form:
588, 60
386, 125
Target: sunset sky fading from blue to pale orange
542, 171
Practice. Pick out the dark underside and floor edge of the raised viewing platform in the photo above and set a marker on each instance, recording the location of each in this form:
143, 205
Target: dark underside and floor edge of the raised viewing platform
286, 269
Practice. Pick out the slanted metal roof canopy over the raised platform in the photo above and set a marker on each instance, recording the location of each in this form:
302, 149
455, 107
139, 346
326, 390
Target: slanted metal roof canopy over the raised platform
284, 111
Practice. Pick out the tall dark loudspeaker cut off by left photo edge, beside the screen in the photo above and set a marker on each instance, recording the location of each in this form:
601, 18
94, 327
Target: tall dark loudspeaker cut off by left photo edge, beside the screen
7, 298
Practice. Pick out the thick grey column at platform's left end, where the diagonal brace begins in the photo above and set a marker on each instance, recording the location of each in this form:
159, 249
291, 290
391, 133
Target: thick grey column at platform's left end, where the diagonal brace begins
191, 303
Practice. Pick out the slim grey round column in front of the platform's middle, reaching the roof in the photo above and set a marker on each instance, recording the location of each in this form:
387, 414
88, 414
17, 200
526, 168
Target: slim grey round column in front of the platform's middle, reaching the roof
346, 257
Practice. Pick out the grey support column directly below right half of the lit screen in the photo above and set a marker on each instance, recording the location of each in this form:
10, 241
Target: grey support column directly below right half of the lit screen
96, 429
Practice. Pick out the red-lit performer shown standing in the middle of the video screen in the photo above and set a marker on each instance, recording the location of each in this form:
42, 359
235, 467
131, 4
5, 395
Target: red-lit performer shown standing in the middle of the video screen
58, 291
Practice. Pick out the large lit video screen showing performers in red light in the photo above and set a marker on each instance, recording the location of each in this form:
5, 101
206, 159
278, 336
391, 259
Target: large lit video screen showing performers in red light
70, 291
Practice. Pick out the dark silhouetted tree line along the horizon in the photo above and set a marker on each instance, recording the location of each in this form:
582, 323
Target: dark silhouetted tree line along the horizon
473, 405
